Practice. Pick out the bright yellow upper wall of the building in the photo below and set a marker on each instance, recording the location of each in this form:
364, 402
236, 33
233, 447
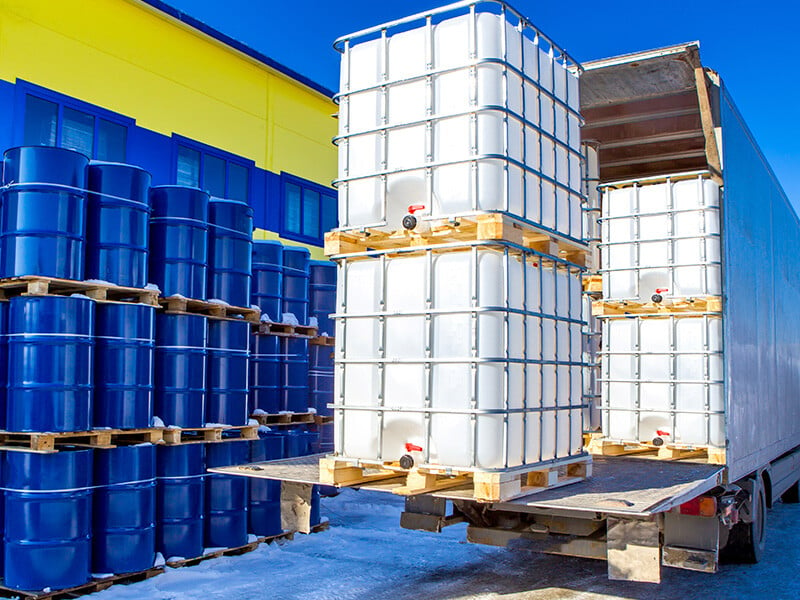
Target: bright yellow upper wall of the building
130, 58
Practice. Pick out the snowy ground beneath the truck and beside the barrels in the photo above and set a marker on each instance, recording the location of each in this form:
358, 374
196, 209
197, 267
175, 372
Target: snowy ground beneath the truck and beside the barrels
365, 555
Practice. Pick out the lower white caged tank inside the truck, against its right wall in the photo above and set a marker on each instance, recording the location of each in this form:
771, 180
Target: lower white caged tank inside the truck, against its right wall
662, 378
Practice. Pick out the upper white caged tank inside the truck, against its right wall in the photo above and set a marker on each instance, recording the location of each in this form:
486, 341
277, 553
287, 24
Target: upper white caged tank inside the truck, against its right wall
661, 238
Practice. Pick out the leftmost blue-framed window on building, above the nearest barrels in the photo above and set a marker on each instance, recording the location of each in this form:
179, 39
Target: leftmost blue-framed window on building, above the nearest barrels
58, 123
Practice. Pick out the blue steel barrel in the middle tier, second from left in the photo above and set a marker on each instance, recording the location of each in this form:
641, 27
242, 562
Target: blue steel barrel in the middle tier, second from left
123, 374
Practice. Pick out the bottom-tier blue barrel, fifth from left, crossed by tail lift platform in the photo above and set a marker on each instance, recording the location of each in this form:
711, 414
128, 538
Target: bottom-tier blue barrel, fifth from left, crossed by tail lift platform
264, 511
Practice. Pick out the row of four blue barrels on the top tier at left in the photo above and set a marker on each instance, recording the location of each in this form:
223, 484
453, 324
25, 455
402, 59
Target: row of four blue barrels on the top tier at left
62, 216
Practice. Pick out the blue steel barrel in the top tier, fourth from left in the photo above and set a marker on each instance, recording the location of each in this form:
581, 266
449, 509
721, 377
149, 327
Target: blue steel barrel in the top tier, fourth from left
230, 251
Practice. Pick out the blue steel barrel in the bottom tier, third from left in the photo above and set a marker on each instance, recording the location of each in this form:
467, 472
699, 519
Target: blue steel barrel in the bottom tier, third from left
180, 500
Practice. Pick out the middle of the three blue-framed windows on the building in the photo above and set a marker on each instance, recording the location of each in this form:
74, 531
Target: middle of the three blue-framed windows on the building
219, 173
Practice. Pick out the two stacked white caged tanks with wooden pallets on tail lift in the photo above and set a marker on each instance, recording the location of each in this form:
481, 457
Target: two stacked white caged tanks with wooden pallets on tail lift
460, 253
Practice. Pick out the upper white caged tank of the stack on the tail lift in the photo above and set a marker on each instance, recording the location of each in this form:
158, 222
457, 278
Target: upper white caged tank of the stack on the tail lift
472, 112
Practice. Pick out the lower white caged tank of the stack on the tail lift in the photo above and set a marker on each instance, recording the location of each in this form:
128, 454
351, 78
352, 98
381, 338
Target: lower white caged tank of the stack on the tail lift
466, 359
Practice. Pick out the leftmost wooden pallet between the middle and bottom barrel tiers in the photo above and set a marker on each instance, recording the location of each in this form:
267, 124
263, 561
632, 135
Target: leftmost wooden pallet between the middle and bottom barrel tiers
97, 438
